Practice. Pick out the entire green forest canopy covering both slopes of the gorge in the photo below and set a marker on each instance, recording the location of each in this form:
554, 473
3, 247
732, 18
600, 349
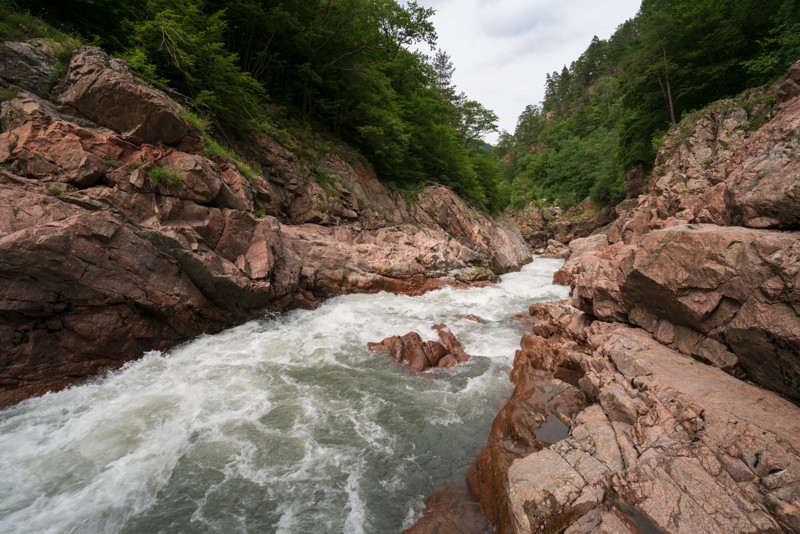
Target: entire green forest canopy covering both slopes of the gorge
351, 68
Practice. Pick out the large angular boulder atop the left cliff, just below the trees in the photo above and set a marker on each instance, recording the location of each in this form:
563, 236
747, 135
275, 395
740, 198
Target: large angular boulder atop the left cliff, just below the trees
104, 91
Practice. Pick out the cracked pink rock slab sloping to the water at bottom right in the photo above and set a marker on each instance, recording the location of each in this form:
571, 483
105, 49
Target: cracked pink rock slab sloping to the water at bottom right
665, 442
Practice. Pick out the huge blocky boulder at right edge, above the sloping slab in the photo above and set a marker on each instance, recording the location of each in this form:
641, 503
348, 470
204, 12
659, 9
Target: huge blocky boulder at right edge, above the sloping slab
736, 287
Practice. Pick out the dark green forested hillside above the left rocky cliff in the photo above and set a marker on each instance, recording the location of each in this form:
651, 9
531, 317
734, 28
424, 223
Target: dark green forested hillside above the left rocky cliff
346, 68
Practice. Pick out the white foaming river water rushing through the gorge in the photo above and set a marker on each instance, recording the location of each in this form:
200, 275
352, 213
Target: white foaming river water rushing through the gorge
283, 424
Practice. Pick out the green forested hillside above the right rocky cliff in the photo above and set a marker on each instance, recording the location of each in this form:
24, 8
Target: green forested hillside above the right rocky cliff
608, 111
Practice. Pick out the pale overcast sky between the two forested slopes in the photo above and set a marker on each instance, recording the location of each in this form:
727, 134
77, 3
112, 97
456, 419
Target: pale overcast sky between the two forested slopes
502, 49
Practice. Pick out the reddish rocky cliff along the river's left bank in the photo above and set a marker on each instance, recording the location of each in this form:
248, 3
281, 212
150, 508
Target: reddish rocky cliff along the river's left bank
118, 234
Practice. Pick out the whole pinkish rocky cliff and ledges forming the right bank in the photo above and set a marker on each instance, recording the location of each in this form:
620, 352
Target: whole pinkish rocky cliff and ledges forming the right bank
673, 374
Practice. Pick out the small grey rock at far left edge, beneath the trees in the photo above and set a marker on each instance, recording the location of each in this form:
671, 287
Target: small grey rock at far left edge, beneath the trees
29, 64
